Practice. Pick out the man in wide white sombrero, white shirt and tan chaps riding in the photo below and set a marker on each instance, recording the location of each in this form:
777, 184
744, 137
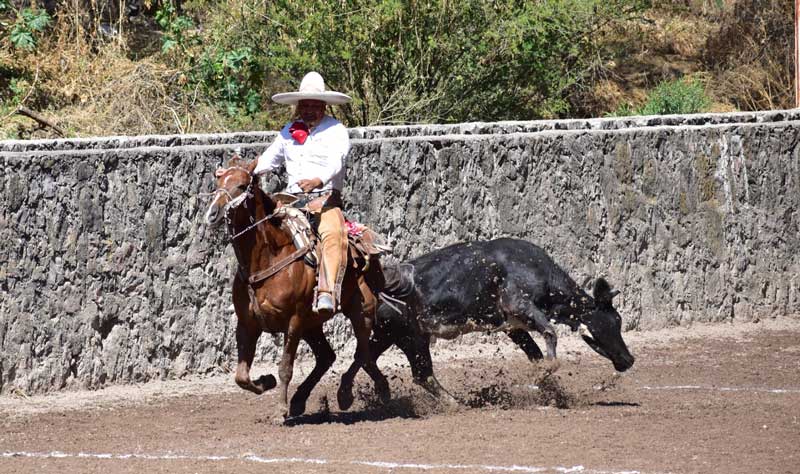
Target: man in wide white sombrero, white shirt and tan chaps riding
313, 149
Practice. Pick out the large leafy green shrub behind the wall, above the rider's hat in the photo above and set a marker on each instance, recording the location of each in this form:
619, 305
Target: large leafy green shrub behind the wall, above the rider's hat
405, 61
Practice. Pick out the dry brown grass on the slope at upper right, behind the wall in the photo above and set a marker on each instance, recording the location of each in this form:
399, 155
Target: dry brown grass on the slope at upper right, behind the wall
738, 50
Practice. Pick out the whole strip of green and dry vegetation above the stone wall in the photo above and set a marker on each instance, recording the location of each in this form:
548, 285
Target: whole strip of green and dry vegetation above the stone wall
211, 65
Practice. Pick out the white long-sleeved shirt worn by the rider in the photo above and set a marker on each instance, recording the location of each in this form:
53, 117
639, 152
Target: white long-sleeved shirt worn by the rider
321, 156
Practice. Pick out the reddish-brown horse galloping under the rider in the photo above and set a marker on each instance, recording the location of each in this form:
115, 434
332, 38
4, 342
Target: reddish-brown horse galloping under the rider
283, 301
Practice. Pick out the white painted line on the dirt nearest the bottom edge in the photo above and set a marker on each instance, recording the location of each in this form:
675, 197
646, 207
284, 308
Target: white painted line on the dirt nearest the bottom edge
262, 460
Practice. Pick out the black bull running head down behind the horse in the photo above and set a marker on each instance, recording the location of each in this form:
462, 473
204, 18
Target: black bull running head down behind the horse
504, 285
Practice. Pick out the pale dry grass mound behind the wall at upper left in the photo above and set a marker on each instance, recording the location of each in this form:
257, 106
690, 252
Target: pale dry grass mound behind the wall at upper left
92, 90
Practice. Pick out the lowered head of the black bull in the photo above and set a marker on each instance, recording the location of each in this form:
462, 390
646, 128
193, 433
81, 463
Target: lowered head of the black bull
601, 328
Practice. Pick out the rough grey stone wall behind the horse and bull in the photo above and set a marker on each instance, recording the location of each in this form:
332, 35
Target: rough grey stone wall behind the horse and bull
108, 274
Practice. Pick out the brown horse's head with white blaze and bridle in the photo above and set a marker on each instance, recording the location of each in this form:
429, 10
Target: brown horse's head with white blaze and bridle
234, 185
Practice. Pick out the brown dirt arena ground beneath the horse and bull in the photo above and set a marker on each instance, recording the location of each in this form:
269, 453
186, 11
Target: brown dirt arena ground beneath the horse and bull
719, 398
